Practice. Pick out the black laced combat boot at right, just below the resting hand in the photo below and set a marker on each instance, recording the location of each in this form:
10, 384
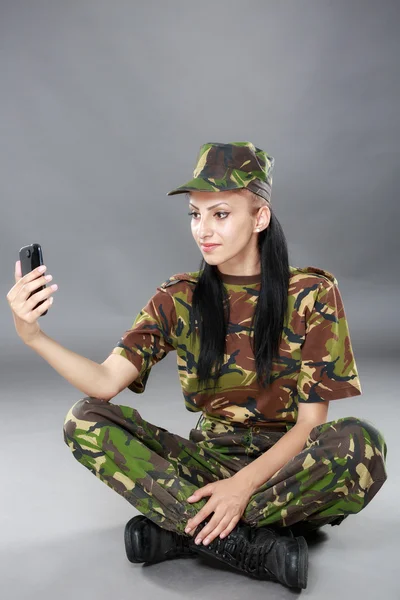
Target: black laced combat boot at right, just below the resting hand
261, 552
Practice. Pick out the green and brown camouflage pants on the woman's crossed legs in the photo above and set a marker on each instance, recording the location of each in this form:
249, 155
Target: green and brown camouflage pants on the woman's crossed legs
337, 473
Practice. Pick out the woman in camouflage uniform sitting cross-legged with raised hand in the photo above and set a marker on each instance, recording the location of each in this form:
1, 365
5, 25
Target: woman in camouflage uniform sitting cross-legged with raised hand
262, 347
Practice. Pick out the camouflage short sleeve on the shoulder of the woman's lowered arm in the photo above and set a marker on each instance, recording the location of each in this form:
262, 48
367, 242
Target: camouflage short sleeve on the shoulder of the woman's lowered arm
328, 367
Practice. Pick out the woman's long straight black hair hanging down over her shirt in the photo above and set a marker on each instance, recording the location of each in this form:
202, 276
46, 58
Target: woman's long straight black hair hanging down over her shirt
210, 304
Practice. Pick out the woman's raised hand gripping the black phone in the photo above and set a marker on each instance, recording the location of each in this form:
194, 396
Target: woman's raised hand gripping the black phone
24, 308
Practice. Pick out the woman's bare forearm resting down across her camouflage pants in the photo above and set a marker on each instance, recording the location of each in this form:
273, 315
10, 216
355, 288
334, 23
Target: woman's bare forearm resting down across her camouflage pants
262, 468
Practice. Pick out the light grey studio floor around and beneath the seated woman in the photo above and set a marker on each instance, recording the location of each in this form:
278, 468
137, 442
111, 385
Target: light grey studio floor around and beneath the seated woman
62, 528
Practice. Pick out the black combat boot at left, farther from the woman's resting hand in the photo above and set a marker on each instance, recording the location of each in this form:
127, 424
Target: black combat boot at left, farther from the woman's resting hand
146, 541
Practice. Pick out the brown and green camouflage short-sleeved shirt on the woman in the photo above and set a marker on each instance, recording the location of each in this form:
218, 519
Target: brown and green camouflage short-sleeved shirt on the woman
316, 360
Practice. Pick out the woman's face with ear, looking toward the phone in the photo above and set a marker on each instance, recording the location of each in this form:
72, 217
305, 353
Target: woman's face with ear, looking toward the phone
226, 219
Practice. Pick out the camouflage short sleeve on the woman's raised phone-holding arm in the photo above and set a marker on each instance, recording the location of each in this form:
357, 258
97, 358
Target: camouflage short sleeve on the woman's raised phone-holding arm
150, 338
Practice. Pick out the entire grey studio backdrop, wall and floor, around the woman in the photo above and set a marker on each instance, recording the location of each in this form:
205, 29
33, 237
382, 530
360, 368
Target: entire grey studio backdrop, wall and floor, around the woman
104, 106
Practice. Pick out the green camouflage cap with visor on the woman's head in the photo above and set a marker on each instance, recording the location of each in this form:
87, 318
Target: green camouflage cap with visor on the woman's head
222, 167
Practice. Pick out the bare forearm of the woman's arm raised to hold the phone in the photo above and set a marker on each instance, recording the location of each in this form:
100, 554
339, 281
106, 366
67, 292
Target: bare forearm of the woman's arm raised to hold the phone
86, 375
